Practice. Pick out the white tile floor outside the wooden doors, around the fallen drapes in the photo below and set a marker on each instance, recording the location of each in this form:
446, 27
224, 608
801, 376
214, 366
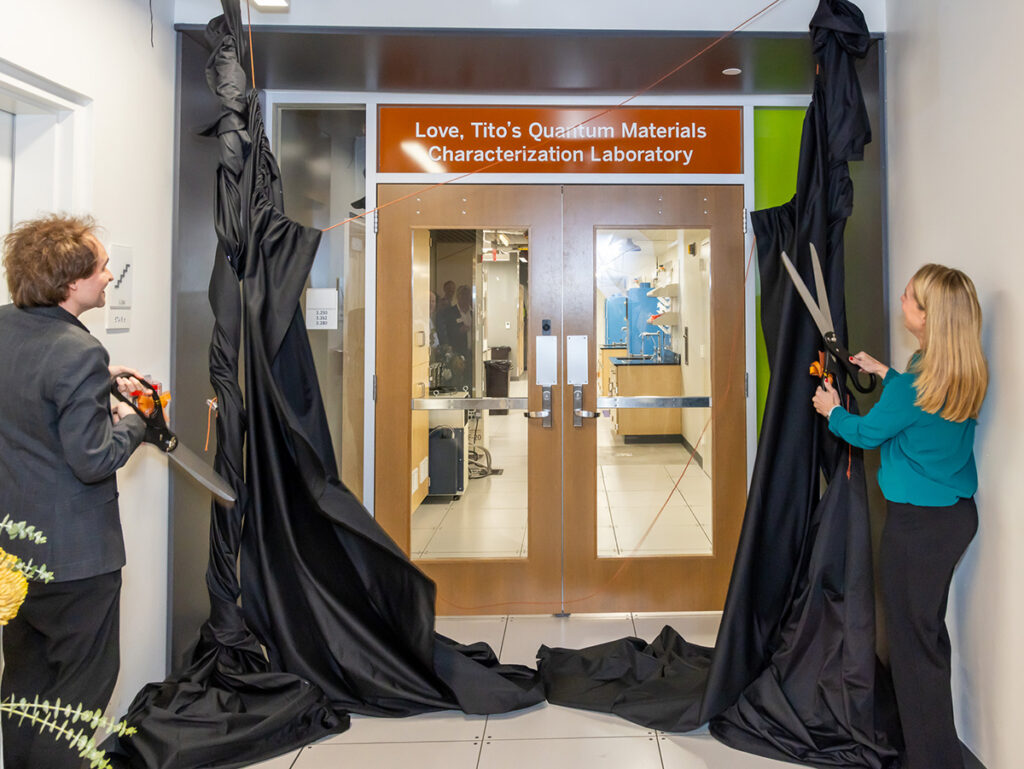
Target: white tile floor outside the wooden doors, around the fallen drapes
543, 738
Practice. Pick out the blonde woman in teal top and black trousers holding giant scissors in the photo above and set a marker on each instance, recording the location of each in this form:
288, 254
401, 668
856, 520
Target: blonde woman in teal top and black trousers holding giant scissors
924, 425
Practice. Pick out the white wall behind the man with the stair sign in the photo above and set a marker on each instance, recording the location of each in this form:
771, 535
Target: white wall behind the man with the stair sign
102, 50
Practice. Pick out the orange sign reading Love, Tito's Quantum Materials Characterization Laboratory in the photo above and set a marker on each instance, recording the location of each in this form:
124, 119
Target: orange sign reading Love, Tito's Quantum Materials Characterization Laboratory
556, 140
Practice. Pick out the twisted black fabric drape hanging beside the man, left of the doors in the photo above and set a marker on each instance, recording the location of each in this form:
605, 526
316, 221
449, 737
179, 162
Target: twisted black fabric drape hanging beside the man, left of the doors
345, 617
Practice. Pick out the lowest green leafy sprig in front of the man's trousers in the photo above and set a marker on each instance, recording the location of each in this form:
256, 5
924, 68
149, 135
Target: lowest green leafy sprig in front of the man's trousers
71, 724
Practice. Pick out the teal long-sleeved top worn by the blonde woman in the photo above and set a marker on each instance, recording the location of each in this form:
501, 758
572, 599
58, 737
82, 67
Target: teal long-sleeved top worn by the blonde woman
926, 460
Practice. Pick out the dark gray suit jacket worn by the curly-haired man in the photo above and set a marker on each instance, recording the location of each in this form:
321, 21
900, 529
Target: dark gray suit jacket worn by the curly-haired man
59, 447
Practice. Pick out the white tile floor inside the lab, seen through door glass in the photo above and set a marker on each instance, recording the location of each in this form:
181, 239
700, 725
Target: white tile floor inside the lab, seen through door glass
636, 483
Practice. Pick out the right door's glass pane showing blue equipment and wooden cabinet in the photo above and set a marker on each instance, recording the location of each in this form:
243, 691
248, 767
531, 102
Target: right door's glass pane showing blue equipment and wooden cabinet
654, 480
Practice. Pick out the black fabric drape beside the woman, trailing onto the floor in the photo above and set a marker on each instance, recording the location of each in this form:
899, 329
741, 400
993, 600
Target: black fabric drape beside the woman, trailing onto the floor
793, 672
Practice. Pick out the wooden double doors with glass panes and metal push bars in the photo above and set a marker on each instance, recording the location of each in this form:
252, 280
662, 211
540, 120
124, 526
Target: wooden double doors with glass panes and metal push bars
509, 374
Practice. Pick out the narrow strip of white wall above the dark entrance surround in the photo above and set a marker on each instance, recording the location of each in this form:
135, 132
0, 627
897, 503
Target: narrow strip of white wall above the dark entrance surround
538, 15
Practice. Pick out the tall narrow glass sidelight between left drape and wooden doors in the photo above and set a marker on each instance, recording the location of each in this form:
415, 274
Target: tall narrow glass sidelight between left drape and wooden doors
323, 161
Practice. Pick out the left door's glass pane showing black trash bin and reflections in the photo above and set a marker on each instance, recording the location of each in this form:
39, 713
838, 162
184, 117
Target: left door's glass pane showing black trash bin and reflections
471, 295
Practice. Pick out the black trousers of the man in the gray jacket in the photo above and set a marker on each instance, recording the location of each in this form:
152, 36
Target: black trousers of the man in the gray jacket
63, 645
